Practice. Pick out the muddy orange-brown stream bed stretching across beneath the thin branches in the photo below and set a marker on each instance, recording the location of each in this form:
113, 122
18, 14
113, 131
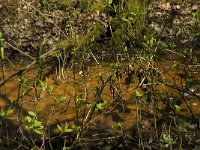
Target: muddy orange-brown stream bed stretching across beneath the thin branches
67, 97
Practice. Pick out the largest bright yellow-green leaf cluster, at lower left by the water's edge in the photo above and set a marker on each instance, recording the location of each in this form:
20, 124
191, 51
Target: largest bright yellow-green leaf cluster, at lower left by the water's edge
33, 124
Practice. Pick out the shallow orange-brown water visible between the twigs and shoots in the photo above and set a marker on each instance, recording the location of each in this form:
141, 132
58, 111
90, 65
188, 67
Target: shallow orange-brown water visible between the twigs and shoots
76, 87
